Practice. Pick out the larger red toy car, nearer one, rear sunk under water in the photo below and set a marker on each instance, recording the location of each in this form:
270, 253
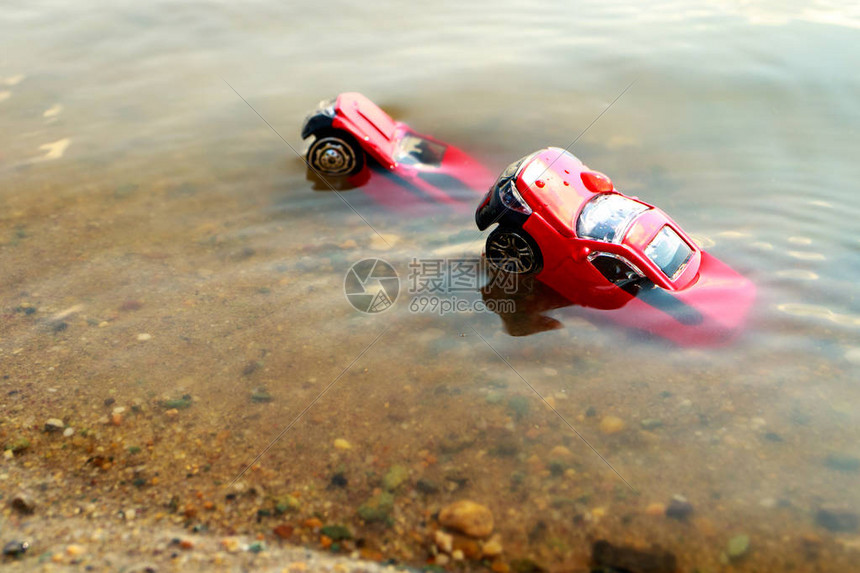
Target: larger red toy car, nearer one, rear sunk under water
569, 227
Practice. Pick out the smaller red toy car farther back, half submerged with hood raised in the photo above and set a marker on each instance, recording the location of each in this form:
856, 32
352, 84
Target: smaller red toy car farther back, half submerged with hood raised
350, 133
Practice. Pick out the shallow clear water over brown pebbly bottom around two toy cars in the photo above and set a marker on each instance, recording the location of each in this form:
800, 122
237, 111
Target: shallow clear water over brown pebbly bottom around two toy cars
172, 245
